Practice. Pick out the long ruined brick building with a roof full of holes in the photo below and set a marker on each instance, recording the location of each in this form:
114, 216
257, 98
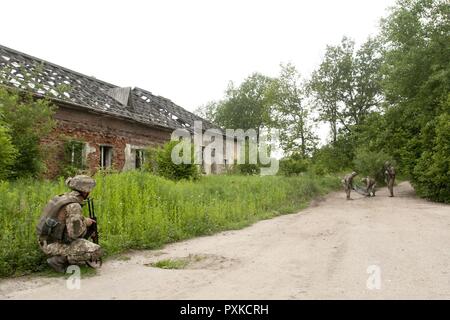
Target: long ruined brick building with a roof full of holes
103, 125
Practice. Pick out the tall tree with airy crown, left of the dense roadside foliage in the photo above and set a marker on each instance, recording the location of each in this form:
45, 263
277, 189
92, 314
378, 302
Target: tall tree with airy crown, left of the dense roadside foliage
346, 86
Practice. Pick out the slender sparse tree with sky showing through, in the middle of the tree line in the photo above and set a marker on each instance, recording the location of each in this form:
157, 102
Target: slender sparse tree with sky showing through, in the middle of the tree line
291, 115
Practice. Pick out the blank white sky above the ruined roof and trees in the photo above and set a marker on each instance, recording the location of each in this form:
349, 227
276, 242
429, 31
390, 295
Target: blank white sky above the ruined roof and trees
186, 51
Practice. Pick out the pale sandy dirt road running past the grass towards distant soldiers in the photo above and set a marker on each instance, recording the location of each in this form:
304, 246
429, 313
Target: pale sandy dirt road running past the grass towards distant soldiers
399, 246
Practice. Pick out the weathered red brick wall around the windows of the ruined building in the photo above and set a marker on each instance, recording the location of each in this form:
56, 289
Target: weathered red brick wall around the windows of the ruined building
96, 129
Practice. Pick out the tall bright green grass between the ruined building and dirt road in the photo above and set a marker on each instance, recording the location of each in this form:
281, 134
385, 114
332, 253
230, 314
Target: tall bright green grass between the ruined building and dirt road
137, 210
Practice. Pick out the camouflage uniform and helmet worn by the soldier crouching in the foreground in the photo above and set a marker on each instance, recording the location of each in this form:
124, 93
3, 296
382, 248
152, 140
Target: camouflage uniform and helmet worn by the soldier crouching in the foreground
72, 248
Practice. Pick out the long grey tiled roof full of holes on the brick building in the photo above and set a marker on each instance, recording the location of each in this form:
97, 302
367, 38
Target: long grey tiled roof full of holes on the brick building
60, 84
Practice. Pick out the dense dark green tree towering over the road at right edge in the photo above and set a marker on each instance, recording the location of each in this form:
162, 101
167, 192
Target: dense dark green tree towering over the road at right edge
416, 70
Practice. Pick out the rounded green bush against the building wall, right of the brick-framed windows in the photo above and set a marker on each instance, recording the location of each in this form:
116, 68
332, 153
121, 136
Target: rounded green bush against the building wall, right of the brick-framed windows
159, 161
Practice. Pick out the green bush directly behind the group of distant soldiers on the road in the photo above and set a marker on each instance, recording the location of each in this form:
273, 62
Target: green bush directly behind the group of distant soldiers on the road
370, 163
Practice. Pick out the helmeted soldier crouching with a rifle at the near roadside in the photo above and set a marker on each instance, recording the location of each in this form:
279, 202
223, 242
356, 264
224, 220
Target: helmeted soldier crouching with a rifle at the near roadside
63, 230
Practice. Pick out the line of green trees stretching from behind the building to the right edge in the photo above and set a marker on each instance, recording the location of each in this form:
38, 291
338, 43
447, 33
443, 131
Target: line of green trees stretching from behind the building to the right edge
386, 99
